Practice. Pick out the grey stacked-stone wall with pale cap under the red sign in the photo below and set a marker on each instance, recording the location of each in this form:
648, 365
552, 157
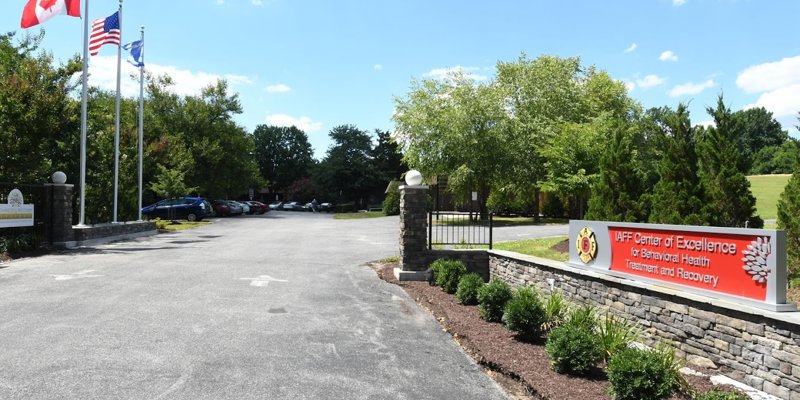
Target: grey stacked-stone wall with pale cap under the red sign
757, 347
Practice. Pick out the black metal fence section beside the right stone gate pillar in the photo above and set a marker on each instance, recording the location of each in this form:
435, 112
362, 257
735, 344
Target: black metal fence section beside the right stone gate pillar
456, 228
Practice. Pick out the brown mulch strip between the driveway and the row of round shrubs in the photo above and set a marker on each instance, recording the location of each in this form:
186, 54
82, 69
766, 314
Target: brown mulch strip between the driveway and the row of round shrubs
495, 348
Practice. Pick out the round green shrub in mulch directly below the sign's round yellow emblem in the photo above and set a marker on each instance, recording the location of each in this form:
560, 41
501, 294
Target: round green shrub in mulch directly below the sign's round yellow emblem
573, 349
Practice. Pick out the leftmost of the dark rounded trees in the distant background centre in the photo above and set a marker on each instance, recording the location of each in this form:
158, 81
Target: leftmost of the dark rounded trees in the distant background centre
284, 154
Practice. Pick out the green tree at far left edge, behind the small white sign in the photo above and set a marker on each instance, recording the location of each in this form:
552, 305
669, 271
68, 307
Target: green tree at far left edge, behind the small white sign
39, 117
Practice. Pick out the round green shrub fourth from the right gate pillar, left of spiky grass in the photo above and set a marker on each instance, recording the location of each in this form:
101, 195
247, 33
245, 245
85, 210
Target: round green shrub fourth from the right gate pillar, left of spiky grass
524, 313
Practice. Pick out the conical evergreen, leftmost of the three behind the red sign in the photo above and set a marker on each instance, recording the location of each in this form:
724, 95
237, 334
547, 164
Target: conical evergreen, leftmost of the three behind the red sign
618, 194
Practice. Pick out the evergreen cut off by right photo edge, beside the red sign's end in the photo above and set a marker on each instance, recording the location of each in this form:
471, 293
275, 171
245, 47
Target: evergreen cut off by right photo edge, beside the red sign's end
789, 219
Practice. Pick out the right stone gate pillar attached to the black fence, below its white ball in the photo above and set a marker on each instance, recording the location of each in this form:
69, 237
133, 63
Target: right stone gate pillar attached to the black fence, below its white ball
413, 233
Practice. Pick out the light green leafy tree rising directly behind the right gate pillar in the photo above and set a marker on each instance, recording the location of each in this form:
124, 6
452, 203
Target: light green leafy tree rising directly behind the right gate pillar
454, 127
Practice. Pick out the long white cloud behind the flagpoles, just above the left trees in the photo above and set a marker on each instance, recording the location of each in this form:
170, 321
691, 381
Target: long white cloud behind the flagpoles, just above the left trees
103, 74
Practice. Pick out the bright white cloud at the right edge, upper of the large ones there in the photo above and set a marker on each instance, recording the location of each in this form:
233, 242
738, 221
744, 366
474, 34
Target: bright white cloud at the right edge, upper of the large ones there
770, 76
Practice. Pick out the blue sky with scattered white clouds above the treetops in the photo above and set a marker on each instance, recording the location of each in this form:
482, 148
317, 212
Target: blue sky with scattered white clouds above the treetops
318, 64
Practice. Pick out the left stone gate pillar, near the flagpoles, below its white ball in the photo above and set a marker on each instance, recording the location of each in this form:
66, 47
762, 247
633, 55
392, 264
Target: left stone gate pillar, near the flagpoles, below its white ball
59, 215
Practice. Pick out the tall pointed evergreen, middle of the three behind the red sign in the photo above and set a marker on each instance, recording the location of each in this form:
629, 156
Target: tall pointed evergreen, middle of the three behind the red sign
678, 196
